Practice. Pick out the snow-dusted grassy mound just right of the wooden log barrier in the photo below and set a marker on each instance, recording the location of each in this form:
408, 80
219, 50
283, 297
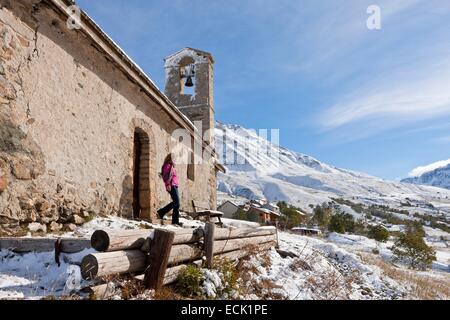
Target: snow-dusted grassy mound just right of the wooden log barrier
323, 270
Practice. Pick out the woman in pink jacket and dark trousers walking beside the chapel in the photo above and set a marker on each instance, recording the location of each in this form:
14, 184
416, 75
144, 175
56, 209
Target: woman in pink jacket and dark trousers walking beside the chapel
169, 175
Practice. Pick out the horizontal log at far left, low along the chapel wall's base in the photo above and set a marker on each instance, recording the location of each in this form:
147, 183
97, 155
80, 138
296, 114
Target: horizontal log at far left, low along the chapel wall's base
23, 245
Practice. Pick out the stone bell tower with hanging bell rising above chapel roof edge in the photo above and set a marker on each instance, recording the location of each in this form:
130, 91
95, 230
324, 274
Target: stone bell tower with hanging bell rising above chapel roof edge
189, 85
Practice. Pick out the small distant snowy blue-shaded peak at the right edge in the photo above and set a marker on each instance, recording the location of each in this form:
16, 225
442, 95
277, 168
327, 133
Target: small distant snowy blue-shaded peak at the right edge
436, 174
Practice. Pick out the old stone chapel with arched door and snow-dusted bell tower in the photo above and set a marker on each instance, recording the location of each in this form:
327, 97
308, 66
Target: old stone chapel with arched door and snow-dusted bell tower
84, 131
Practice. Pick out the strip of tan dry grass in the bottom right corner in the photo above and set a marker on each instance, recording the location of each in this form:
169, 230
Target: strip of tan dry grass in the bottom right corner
420, 286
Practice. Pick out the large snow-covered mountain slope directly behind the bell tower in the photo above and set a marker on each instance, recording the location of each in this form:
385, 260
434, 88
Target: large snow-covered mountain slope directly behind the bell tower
260, 169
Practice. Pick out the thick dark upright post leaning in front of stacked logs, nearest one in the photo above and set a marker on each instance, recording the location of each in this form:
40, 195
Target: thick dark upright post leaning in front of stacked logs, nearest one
158, 259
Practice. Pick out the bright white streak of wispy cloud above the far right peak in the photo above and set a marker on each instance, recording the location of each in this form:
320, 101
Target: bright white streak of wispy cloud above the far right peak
393, 102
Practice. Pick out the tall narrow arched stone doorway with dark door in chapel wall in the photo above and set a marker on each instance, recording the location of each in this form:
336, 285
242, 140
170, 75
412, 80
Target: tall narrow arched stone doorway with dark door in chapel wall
144, 173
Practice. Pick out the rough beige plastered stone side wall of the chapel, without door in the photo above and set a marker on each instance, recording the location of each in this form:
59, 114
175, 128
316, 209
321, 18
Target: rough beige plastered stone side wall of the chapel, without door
67, 121
